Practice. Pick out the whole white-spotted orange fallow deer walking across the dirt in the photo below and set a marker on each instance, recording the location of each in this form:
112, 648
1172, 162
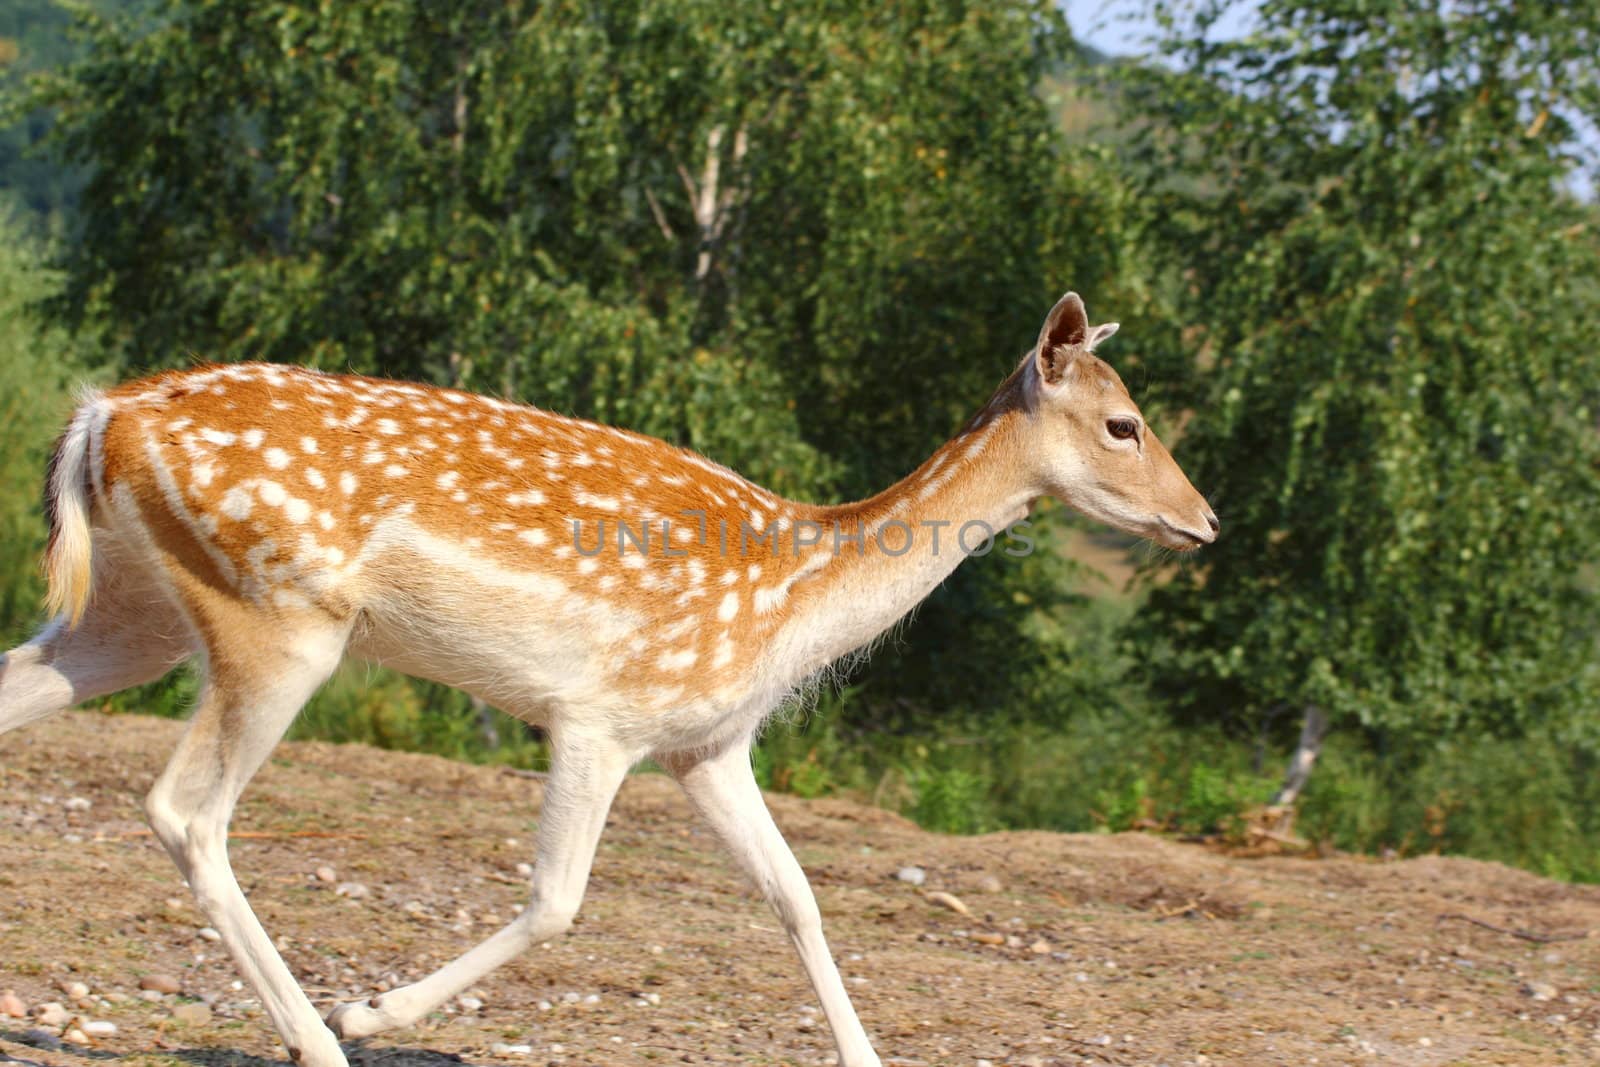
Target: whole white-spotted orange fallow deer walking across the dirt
270, 521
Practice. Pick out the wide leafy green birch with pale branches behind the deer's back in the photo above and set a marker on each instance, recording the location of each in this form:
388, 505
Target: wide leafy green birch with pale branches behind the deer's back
804, 239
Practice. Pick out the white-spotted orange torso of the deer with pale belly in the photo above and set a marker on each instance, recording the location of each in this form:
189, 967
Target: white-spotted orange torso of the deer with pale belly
521, 554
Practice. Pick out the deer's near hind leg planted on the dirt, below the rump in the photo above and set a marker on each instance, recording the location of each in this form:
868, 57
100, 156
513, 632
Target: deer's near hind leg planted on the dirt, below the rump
257, 679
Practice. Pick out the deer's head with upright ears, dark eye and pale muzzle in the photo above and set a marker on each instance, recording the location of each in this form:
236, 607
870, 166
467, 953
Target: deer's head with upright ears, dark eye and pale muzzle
1090, 447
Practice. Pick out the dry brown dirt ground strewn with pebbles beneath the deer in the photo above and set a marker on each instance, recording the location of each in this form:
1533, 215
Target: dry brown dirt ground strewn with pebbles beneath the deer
1079, 949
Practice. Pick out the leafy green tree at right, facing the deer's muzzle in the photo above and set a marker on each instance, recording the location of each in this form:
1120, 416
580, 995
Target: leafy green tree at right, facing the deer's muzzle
1396, 300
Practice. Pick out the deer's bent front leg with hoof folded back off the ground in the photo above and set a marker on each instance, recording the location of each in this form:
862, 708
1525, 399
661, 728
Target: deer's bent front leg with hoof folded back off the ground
585, 777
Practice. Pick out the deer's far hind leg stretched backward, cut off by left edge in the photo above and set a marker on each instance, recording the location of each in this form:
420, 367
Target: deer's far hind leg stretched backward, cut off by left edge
130, 634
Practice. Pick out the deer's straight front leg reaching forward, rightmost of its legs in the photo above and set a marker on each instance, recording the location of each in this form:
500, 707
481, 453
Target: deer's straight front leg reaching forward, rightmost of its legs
722, 788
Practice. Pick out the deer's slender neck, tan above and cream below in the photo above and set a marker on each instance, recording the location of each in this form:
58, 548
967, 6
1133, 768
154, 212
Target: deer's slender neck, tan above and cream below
913, 537
